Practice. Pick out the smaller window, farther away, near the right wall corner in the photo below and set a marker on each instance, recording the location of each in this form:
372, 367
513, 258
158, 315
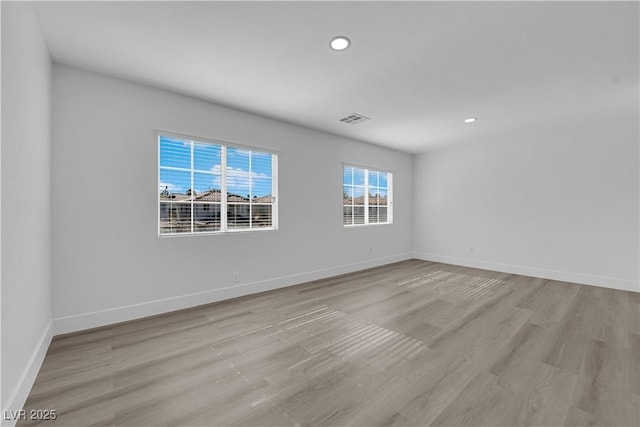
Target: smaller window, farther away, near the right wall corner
366, 196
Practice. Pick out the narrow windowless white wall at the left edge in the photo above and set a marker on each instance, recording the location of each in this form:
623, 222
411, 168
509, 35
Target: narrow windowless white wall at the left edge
26, 231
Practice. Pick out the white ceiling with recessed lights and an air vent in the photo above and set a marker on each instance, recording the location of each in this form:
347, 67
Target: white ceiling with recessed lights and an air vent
417, 69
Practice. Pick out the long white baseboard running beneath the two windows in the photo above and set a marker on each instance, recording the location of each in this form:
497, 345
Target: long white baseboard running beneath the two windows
110, 316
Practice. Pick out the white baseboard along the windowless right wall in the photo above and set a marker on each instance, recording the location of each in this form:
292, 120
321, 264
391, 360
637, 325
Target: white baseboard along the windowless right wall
564, 276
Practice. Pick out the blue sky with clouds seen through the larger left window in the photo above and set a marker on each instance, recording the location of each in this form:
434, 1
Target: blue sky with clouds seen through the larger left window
249, 173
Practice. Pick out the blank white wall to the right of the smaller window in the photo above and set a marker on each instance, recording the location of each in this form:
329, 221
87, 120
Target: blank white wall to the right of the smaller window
558, 199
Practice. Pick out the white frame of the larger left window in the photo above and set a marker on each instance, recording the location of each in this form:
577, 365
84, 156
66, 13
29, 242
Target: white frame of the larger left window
224, 229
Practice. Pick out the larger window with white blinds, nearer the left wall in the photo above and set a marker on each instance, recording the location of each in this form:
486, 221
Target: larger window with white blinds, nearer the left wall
208, 187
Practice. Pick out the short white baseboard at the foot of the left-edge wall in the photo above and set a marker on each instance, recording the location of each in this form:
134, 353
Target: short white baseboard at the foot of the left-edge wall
19, 395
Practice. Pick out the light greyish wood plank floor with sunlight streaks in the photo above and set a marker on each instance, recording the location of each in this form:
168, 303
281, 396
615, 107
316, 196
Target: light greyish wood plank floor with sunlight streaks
409, 344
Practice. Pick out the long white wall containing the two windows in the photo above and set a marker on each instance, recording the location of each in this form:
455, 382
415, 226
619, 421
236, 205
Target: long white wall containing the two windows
108, 263
